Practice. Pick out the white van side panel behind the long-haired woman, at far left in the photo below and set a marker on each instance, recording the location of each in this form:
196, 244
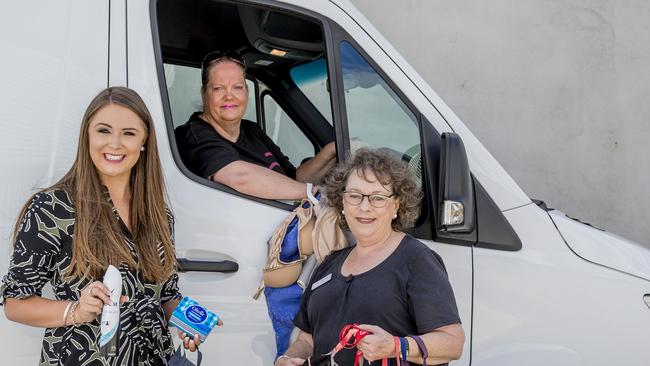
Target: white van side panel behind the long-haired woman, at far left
53, 60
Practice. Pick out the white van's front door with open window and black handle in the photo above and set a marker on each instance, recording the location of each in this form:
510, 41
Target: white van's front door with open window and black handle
214, 223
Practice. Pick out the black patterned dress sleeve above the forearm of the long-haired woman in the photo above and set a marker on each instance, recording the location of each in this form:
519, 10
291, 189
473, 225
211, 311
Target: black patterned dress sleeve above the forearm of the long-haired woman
37, 245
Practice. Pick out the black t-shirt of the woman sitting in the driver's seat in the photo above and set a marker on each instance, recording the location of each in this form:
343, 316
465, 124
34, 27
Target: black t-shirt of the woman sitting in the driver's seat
205, 152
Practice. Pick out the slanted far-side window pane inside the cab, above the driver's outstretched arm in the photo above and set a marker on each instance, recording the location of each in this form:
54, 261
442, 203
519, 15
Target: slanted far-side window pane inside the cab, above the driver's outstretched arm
284, 132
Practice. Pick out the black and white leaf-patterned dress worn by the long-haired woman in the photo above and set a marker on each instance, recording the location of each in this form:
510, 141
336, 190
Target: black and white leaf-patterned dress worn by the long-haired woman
43, 252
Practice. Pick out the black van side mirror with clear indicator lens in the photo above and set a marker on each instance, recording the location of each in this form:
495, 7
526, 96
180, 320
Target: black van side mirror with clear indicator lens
455, 189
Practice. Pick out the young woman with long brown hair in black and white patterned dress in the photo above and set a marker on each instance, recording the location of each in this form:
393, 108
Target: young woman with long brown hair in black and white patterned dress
108, 209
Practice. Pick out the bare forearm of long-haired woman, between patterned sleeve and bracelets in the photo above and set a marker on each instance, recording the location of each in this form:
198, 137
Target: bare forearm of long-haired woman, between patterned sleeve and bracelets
38, 312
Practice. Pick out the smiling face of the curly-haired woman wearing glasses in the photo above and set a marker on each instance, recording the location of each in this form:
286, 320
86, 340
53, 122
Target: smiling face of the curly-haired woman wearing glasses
367, 223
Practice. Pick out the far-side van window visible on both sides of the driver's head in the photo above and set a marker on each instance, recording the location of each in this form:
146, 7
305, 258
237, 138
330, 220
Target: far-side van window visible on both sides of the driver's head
184, 88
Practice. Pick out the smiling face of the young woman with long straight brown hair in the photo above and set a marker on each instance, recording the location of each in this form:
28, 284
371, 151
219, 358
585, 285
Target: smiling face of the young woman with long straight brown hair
115, 136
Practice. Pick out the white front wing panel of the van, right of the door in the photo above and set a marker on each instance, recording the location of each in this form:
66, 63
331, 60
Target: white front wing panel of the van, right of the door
543, 305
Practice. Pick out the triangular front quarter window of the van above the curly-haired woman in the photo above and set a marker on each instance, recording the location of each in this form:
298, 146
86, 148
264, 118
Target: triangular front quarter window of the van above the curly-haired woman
376, 116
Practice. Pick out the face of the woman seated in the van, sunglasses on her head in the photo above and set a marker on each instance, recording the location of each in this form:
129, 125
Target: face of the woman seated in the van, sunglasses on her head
225, 96
